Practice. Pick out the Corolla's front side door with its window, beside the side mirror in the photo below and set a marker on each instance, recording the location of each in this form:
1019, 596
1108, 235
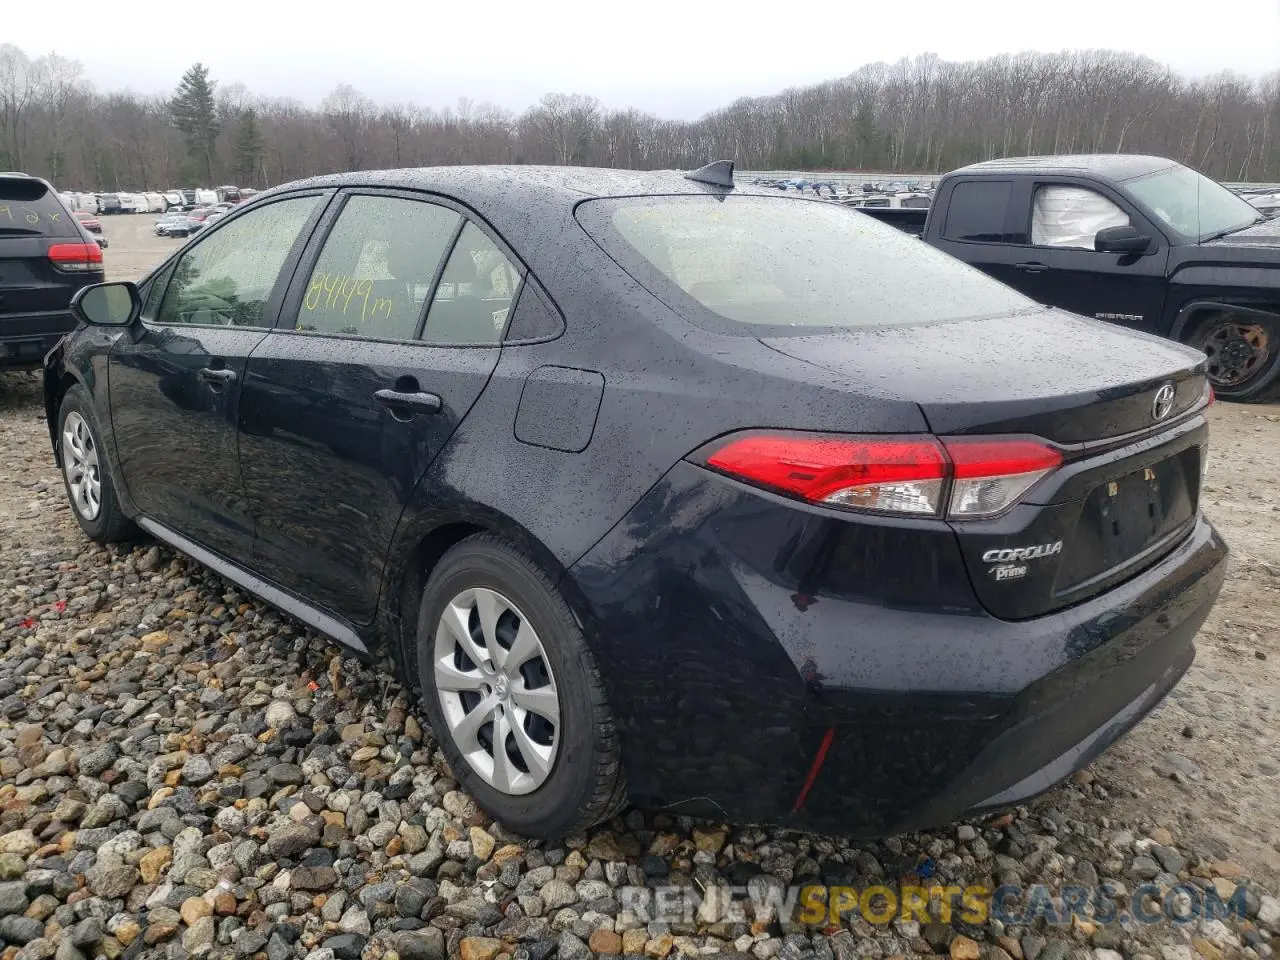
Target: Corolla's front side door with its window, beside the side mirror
175, 385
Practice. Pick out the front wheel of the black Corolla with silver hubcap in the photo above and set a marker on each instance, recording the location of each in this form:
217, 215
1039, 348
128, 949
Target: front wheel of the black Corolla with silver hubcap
86, 472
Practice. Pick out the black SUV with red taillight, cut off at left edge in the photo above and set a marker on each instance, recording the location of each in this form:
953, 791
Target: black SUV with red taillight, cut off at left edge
45, 257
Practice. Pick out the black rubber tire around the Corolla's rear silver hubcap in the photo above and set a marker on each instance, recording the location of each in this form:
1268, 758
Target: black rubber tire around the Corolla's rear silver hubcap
555, 806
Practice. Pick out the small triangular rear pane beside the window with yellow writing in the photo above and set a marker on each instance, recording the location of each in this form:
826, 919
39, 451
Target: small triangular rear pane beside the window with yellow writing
476, 295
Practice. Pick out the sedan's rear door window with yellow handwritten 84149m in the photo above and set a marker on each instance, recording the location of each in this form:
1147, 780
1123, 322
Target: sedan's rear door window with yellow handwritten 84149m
376, 272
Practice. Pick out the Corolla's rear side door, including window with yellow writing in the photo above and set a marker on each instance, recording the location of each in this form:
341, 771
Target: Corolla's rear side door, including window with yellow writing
387, 339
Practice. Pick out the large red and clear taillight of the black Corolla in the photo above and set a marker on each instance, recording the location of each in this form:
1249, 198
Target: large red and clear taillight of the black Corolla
917, 476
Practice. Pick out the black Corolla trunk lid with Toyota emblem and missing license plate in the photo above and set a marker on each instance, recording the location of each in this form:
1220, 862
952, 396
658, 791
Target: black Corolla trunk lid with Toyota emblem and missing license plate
1128, 490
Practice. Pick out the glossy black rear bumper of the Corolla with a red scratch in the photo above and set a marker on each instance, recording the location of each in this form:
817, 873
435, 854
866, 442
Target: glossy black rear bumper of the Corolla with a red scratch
735, 644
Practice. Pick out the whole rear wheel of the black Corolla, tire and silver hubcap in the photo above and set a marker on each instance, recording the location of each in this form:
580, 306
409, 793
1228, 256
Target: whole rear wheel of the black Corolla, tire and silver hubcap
488, 602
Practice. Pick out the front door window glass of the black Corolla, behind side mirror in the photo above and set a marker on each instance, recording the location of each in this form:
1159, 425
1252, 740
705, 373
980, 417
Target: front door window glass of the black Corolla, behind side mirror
227, 278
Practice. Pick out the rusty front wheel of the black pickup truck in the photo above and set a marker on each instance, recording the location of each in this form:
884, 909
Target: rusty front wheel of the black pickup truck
1244, 356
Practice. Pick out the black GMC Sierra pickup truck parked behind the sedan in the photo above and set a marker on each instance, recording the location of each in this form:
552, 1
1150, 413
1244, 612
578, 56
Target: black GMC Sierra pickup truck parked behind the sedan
1139, 241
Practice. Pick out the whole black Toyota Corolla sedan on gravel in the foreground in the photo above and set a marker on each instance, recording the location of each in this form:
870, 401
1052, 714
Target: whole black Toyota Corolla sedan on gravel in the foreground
656, 488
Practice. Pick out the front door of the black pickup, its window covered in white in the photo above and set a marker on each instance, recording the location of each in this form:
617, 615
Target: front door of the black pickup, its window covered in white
1062, 268
